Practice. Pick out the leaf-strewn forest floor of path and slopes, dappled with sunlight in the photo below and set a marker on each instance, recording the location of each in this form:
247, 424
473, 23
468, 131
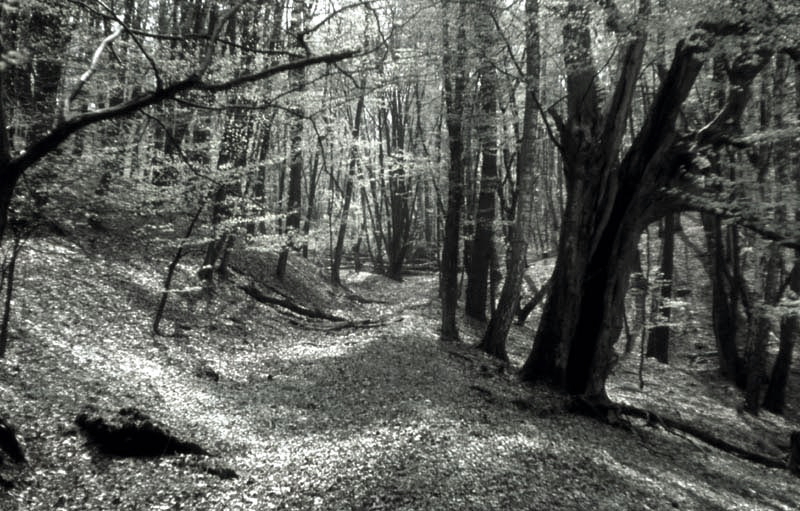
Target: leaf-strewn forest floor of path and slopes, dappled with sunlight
314, 414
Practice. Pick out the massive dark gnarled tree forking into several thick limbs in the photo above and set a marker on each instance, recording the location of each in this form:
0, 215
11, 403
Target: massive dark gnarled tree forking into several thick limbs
614, 192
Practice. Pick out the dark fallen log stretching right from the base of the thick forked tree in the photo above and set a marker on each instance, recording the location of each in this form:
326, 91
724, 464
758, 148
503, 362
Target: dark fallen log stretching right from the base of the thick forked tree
611, 412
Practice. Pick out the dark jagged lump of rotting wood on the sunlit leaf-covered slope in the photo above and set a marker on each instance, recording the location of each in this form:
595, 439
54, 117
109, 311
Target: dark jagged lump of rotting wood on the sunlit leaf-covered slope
131, 433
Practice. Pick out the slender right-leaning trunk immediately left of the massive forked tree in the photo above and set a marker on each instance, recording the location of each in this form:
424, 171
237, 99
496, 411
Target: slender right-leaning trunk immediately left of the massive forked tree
494, 339
